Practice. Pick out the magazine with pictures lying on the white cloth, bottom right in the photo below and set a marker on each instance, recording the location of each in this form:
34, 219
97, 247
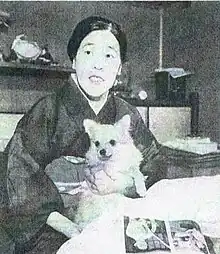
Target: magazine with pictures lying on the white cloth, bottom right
143, 235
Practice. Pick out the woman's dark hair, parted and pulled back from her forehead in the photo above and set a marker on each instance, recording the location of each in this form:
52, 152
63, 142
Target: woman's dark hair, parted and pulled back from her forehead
92, 23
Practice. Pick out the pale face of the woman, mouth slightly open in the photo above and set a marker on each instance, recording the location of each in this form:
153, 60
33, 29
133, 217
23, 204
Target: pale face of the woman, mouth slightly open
97, 62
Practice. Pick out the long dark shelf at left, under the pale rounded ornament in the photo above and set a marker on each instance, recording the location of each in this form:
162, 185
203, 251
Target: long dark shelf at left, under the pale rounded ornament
19, 69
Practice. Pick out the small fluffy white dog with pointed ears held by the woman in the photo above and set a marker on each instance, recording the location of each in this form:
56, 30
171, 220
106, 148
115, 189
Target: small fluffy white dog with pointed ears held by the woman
113, 152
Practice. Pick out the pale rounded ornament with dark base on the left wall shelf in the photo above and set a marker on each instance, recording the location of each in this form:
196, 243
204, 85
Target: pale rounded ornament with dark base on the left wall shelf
24, 50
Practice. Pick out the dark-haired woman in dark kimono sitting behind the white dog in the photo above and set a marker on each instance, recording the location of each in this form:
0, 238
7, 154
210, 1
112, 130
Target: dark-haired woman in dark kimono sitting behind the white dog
53, 129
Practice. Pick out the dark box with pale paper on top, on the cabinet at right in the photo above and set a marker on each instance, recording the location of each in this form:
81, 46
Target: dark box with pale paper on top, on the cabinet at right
171, 84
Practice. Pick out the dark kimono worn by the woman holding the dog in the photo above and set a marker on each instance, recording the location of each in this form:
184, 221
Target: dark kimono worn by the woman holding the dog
51, 129
